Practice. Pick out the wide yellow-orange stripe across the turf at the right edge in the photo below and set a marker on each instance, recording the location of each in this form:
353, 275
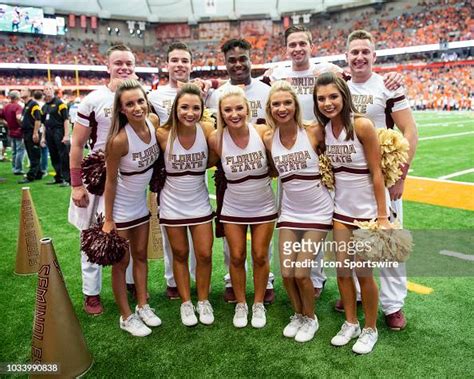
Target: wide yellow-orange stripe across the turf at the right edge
439, 192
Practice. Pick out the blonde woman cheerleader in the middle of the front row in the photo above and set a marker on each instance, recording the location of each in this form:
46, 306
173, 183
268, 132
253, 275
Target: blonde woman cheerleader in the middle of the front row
248, 199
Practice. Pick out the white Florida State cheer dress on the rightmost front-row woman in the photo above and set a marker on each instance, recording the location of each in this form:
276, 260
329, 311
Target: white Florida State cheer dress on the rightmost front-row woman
354, 193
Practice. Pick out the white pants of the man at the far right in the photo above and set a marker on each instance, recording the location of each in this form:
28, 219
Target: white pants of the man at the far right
393, 280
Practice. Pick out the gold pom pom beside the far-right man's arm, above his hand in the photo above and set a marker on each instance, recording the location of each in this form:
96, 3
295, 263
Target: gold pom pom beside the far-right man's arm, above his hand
394, 151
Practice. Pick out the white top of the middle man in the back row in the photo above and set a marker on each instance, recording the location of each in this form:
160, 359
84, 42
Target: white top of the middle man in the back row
256, 93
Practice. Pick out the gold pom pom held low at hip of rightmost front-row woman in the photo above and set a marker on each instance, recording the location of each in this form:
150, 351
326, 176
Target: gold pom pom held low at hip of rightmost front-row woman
392, 245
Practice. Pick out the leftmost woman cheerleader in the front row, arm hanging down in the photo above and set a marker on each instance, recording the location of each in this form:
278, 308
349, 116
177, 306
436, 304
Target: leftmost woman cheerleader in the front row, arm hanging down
131, 150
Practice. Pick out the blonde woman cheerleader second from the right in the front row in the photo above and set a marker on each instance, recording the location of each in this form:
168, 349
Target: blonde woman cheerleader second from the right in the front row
306, 208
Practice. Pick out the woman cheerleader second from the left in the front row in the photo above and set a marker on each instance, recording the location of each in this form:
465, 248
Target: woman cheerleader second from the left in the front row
184, 199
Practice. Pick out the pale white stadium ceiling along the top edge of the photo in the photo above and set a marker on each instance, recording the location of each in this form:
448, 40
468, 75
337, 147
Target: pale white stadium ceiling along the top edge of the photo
183, 10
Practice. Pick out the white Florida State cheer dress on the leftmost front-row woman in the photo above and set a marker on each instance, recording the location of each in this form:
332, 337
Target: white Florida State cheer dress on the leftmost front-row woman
135, 171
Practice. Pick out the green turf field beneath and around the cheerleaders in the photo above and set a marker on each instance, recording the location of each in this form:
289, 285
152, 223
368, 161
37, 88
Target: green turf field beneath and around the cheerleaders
438, 340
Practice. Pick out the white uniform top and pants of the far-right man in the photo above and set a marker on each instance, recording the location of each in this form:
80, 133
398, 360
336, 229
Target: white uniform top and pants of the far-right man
376, 102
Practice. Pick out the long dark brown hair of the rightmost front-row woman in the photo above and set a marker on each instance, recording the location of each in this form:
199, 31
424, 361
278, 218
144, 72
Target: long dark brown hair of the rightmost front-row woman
348, 108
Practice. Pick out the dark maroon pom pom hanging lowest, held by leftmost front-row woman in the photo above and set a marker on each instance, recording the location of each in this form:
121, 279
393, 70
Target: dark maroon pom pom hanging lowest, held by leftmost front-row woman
102, 248
